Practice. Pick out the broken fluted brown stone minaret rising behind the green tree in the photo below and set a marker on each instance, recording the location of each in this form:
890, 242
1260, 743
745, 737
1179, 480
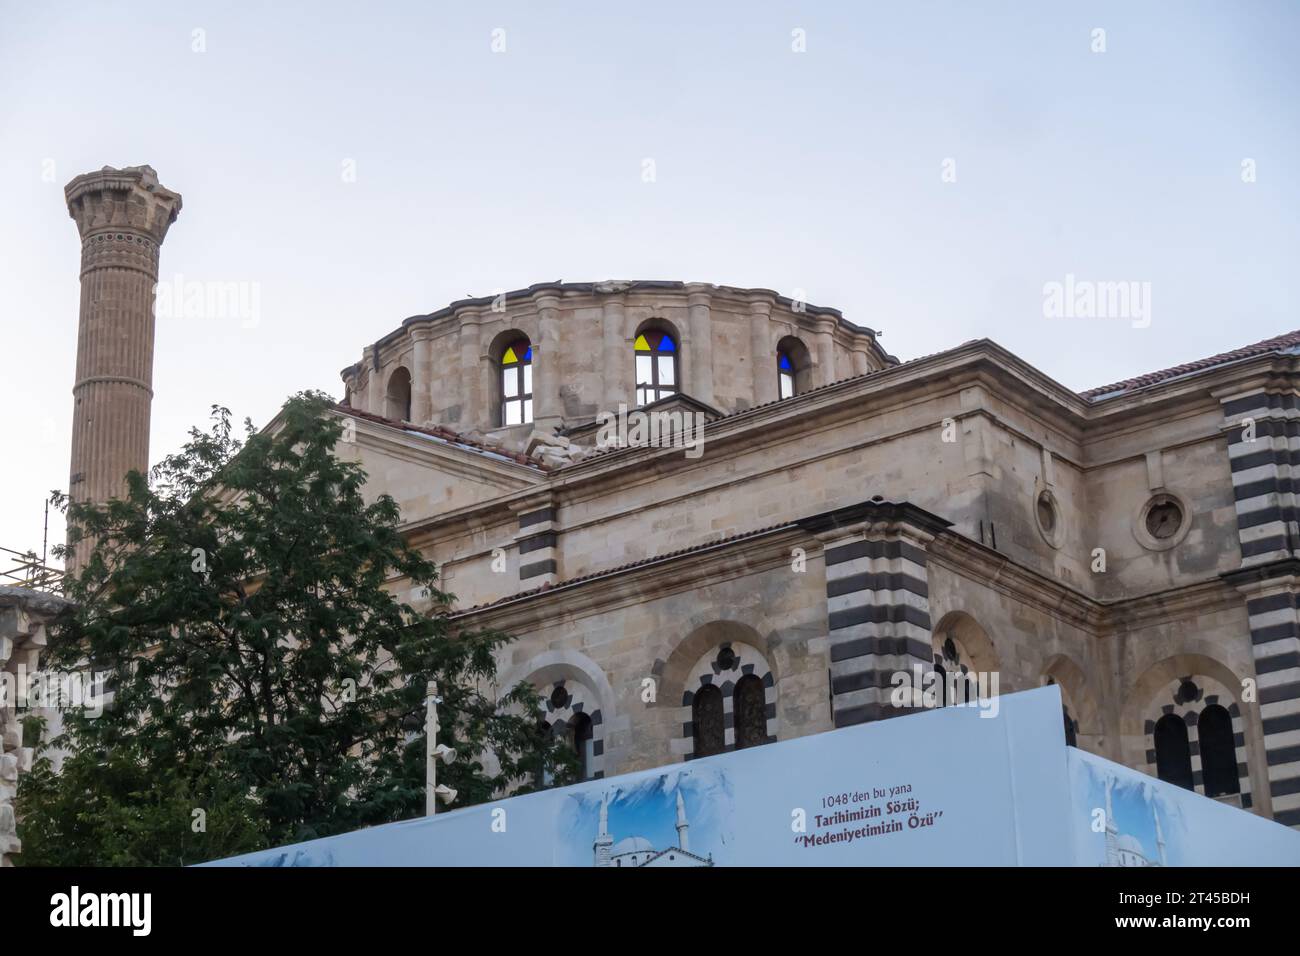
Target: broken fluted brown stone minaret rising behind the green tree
123, 217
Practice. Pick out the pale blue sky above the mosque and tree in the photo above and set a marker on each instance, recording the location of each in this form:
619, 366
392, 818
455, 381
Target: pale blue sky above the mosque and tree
480, 171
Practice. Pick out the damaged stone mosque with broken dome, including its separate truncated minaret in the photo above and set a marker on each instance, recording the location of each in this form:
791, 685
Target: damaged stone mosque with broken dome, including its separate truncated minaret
844, 516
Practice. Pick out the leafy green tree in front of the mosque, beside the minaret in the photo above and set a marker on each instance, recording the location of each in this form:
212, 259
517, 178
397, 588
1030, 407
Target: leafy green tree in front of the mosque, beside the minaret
263, 668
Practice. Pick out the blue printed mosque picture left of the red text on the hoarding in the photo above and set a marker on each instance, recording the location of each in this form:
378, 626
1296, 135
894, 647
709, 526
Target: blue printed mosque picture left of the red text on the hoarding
669, 820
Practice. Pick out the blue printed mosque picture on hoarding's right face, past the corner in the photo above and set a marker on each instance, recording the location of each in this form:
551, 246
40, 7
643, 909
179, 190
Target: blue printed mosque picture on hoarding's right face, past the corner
1130, 824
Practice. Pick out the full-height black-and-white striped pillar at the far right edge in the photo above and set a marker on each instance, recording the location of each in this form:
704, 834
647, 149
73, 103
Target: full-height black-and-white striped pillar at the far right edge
1264, 447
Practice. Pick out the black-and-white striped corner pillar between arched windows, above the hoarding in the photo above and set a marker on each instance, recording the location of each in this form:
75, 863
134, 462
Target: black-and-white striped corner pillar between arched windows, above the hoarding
878, 613
